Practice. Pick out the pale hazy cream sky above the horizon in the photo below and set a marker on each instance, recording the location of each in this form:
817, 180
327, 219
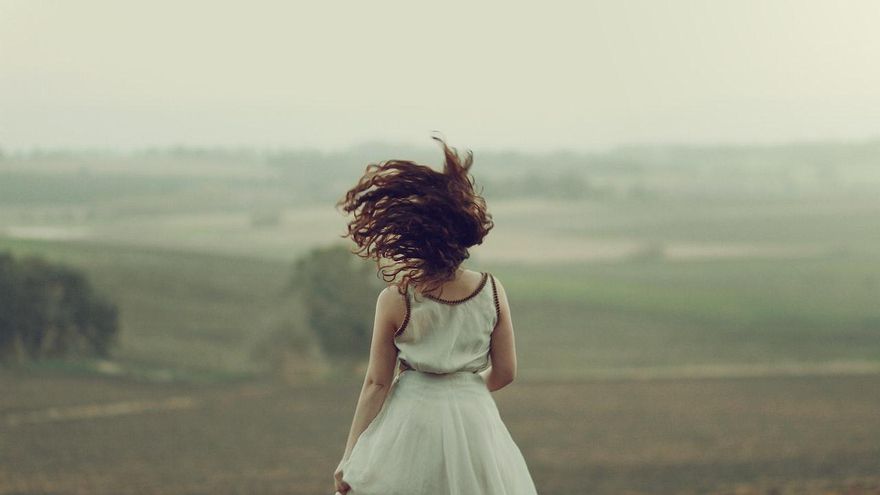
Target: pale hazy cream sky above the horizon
528, 75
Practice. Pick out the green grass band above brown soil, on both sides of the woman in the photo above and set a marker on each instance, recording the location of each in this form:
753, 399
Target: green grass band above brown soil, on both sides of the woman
208, 312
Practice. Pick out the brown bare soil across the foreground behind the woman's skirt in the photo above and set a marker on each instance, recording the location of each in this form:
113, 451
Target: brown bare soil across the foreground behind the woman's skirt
86, 435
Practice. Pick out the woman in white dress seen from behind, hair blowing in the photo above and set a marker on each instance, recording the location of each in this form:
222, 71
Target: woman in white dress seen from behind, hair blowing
434, 428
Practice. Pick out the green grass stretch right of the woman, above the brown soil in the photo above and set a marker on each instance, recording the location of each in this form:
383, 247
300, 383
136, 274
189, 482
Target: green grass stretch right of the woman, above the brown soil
578, 318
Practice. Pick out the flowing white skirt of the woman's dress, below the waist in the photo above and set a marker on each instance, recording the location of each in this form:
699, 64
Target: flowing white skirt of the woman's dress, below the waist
438, 435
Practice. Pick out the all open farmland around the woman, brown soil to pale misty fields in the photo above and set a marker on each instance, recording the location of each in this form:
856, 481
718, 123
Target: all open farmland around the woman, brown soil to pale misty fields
669, 340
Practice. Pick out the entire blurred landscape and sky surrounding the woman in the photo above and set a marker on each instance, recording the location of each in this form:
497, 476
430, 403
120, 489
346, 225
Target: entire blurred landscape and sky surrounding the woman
686, 204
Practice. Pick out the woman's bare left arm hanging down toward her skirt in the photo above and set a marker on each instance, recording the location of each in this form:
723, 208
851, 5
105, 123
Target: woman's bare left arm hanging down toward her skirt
390, 307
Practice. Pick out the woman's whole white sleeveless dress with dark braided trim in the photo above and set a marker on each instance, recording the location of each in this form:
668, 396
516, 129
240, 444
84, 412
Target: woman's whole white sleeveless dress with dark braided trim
439, 431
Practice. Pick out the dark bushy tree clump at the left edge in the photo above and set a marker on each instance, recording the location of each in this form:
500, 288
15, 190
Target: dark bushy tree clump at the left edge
50, 310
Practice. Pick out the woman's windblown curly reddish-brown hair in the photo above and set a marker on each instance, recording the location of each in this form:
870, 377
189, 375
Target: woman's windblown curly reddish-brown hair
422, 220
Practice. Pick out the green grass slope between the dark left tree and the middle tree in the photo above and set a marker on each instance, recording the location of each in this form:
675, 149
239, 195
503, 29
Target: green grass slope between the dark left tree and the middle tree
178, 309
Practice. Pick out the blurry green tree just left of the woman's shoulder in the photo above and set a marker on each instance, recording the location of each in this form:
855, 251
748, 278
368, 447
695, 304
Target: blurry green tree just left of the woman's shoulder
338, 291
